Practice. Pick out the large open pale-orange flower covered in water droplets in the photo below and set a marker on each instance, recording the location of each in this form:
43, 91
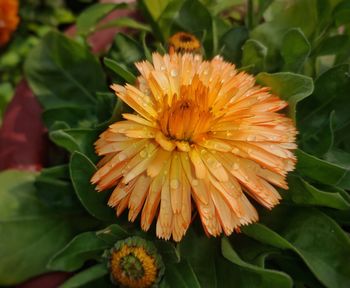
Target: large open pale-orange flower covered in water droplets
201, 131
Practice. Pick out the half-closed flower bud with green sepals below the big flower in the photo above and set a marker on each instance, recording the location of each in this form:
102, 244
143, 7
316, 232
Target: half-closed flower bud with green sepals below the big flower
134, 263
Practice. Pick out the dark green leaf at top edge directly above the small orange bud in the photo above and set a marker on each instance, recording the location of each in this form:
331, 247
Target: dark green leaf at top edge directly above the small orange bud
186, 20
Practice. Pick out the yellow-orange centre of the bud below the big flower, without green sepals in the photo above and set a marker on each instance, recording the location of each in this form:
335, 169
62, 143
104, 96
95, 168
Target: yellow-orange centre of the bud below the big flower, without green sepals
133, 267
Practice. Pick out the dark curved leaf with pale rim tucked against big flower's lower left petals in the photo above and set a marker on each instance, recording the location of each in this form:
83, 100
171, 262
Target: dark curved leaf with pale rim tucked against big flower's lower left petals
81, 171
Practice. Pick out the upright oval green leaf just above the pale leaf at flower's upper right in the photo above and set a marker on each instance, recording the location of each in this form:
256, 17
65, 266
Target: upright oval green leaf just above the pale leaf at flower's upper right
295, 50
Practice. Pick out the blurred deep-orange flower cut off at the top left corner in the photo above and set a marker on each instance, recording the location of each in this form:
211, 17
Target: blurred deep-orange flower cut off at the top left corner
8, 19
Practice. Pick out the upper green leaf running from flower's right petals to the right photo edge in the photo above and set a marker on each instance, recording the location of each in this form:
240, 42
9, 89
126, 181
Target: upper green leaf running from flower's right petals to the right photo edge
322, 171
